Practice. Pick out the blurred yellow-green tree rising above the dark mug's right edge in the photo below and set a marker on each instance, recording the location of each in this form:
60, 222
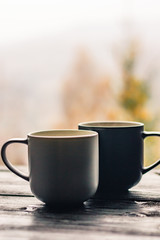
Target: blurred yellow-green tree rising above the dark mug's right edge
135, 93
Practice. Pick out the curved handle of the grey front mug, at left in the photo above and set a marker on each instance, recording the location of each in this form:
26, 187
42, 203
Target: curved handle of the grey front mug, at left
7, 163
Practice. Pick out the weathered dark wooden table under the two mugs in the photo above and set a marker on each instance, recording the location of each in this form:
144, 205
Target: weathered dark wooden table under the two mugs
134, 215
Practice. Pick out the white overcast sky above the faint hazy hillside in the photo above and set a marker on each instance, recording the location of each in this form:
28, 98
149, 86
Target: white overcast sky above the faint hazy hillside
21, 19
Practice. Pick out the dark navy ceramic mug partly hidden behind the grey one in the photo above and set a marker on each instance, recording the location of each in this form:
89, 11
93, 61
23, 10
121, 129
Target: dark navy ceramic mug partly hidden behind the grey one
120, 153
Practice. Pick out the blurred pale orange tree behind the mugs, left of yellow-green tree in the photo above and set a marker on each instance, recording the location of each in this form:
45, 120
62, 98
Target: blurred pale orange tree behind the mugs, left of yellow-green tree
86, 94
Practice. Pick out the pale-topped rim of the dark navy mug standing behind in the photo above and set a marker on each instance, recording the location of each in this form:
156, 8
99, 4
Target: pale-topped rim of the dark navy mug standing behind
111, 124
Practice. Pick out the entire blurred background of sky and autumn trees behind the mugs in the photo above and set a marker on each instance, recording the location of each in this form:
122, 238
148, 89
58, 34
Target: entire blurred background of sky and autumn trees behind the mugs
67, 61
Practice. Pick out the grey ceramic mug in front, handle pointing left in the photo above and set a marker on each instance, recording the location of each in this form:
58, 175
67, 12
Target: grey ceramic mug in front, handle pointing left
63, 165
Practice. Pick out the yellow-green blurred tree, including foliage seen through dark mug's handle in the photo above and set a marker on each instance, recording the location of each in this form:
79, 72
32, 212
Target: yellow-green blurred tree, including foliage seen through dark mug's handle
134, 97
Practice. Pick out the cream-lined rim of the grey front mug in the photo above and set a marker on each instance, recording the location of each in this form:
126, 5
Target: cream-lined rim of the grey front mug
62, 133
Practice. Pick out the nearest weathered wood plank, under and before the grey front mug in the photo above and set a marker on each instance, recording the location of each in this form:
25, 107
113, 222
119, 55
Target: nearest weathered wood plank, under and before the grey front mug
103, 219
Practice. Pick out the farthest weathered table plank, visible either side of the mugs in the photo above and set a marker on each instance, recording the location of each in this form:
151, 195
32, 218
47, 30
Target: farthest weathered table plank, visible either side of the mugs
147, 190
